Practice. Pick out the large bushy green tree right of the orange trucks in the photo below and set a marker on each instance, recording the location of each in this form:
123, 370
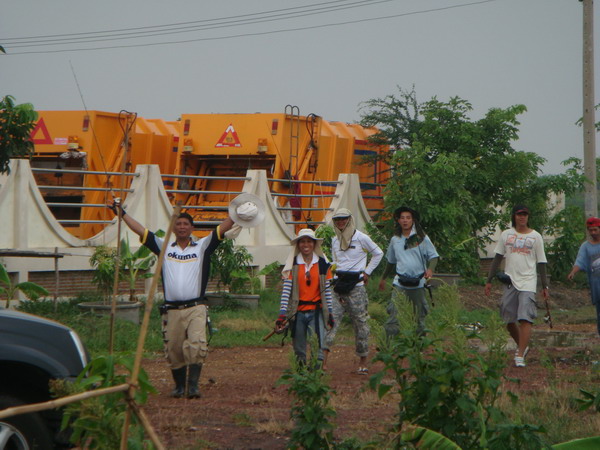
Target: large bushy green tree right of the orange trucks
460, 173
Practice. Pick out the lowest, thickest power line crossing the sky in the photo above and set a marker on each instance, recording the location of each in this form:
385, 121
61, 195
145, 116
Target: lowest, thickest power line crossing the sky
262, 33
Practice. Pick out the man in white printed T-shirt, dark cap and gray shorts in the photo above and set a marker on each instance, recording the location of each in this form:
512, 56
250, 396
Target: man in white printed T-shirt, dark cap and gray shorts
523, 249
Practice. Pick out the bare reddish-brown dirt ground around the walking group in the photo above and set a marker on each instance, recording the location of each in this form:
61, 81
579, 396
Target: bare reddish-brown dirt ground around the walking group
243, 408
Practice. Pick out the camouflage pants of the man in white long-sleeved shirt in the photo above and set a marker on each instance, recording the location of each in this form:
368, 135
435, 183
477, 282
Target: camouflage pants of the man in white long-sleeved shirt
355, 304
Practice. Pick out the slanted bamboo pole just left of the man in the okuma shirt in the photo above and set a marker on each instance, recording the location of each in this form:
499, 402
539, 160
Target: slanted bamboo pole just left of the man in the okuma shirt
144, 329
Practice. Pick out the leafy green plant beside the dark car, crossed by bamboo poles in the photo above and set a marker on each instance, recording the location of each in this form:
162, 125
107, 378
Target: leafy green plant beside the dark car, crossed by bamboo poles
97, 422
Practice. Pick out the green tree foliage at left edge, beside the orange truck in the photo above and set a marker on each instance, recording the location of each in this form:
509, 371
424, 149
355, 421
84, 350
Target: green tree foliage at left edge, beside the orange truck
16, 124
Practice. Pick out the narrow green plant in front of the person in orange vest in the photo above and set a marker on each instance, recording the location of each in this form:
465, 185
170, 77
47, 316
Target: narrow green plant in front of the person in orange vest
310, 411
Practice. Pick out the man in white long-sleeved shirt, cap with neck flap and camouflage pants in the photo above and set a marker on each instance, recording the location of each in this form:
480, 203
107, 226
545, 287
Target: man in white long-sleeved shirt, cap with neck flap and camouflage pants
350, 249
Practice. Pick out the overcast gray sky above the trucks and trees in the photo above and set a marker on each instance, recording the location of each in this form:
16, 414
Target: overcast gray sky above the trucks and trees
493, 53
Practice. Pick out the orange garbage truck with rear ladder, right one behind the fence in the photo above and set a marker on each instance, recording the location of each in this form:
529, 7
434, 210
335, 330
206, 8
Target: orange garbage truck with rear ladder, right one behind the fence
288, 146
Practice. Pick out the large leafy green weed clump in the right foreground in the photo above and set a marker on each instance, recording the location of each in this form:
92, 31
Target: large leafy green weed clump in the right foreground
444, 384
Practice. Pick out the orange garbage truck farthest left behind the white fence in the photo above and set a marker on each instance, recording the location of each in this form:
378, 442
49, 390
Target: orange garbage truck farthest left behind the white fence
94, 141
